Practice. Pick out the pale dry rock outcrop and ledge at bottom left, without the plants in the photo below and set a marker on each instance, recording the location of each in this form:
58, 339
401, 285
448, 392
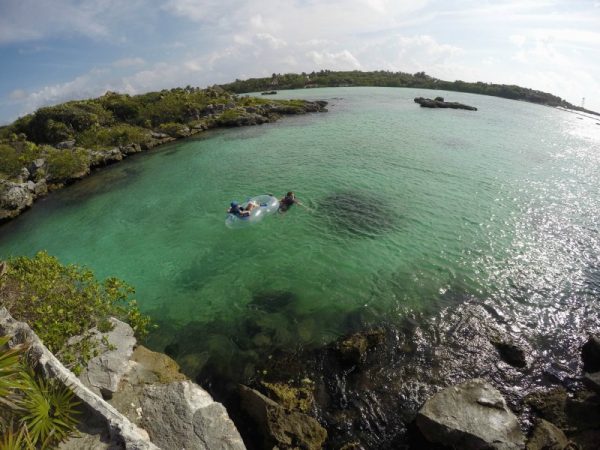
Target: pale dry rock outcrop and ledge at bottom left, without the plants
131, 397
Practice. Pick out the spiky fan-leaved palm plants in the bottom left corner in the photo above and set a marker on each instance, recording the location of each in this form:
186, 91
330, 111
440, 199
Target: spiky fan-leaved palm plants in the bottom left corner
35, 413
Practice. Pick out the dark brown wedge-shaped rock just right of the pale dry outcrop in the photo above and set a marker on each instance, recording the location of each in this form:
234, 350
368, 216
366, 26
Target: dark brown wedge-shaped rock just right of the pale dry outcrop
279, 427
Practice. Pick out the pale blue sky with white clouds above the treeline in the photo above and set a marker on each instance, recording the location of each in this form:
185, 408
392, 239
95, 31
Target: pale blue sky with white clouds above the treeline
58, 50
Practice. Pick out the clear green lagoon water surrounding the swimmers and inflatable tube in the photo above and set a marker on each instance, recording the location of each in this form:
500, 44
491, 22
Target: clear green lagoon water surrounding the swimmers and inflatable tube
409, 209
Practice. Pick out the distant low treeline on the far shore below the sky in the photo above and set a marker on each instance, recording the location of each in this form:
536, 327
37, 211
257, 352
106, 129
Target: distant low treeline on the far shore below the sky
328, 78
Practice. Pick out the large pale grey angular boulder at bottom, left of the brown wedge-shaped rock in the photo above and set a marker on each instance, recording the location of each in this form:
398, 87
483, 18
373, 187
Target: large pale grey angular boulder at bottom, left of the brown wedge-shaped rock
182, 415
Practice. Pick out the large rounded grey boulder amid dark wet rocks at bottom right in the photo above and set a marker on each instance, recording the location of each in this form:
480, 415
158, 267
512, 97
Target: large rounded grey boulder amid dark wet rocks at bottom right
470, 416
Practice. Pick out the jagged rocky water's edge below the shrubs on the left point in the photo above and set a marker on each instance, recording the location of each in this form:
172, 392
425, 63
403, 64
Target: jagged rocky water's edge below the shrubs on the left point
37, 180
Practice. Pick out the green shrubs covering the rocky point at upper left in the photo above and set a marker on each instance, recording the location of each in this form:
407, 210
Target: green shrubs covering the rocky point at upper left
73, 136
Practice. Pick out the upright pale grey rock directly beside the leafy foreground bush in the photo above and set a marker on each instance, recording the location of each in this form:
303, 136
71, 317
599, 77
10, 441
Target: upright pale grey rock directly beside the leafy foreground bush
104, 372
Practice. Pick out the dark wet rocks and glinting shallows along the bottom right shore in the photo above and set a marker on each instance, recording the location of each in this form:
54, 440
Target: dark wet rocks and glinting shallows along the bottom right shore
461, 379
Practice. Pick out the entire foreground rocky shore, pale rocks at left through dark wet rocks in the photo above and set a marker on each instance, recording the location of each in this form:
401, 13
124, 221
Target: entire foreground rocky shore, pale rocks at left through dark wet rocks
461, 379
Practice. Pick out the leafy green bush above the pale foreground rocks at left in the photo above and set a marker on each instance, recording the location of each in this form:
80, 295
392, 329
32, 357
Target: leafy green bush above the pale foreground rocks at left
60, 302
